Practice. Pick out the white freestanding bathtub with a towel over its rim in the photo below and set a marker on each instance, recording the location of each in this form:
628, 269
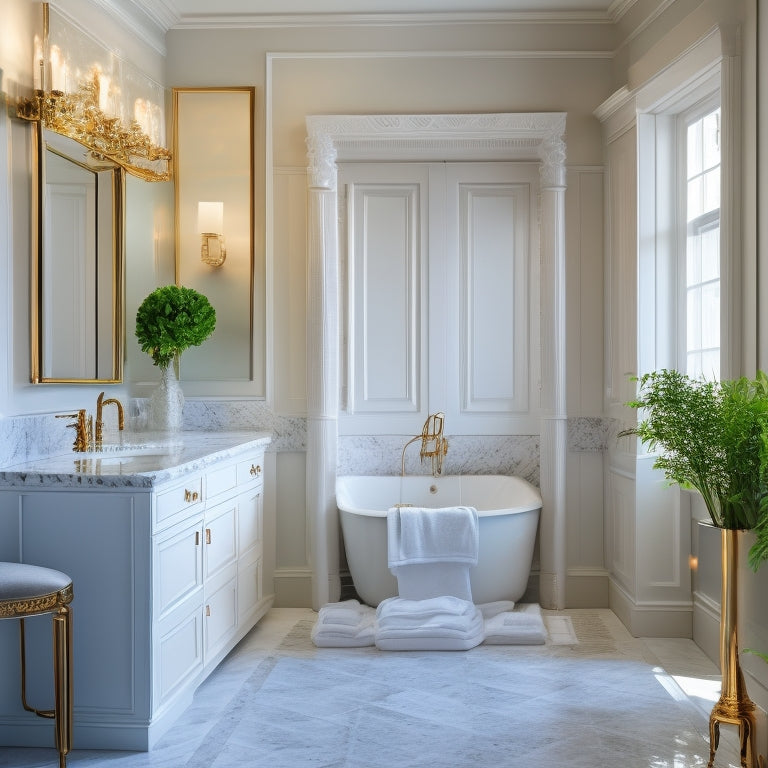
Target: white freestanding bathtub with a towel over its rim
508, 510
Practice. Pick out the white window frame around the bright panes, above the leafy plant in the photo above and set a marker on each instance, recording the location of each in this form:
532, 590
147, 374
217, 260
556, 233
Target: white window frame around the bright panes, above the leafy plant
659, 107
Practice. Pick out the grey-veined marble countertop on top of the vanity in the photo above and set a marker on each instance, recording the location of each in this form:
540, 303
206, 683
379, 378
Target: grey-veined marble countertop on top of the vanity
198, 451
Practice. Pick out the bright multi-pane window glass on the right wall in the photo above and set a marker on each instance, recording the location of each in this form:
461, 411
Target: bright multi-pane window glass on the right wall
700, 301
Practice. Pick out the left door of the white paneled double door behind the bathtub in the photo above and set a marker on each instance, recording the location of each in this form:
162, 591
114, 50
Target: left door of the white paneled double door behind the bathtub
387, 351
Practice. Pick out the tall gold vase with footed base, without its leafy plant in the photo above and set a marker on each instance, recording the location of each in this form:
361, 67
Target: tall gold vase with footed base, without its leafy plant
734, 707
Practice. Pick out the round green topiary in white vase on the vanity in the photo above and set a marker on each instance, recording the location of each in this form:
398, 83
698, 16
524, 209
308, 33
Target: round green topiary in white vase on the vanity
171, 319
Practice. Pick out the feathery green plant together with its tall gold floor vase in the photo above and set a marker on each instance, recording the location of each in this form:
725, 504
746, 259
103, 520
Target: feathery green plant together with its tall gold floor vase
713, 437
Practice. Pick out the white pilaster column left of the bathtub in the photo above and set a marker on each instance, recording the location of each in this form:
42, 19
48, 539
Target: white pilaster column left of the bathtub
322, 372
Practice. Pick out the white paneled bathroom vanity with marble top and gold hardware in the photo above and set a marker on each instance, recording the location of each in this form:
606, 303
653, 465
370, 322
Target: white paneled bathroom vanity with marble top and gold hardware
164, 544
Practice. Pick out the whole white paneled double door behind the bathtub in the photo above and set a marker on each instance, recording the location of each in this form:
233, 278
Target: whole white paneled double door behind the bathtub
440, 300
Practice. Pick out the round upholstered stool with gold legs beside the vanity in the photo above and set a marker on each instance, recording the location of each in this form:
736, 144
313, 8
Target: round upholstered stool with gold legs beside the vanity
29, 590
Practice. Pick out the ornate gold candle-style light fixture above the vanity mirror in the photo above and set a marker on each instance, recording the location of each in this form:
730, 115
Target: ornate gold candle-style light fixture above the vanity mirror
81, 116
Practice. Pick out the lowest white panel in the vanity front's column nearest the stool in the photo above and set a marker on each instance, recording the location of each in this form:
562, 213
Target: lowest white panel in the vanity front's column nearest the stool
179, 654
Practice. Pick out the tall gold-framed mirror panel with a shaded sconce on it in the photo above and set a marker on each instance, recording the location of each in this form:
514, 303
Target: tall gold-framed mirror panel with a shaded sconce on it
213, 163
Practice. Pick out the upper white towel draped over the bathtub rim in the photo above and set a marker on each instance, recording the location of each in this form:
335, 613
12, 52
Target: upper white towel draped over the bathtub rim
424, 535
